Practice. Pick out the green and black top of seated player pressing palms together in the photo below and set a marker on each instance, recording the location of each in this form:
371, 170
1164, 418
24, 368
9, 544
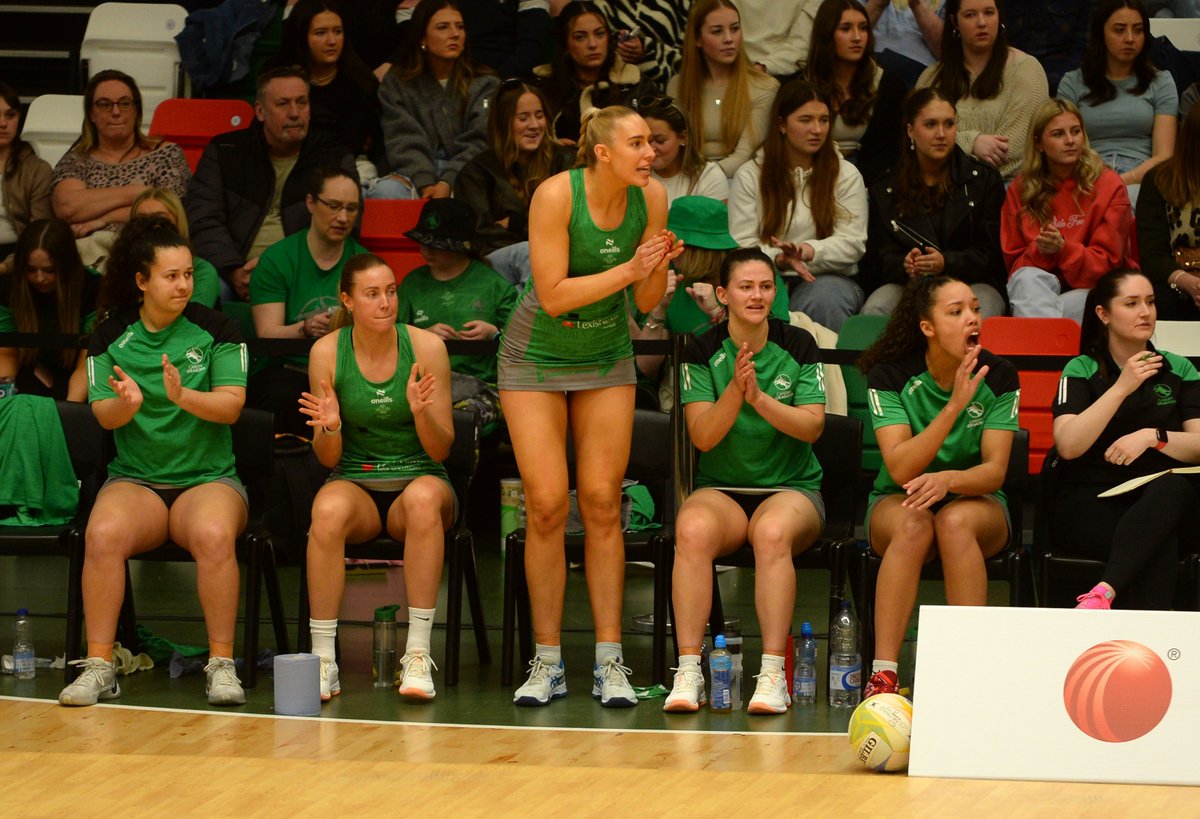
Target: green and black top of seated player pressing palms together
753, 453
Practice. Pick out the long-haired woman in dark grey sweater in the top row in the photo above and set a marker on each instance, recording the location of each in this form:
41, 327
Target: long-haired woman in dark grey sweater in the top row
435, 106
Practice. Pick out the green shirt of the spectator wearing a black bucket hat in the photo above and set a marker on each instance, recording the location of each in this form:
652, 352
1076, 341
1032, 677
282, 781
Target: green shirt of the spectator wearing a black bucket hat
478, 294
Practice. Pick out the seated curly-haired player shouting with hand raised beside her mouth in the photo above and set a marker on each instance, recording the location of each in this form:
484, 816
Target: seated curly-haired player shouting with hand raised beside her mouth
945, 413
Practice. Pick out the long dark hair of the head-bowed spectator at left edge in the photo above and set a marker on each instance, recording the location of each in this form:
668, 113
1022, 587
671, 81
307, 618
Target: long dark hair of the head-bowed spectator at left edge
55, 237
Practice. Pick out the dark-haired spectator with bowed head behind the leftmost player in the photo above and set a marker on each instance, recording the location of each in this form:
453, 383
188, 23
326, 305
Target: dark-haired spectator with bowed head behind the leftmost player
51, 292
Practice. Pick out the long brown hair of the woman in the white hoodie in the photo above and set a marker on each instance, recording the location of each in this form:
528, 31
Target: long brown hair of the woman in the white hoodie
777, 186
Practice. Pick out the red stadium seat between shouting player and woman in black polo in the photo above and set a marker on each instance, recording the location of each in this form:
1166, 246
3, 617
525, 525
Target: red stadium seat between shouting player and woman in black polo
1034, 337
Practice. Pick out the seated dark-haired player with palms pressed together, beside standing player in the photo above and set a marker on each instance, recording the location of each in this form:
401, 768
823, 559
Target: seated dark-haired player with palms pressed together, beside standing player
754, 399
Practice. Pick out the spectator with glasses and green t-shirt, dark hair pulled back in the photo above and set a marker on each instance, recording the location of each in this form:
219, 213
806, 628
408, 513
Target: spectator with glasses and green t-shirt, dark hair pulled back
293, 294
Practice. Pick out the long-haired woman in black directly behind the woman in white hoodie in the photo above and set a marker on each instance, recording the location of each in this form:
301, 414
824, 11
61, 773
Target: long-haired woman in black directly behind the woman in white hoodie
866, 98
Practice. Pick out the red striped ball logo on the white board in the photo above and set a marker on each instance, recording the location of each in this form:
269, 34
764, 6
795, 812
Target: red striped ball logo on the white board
1118, 691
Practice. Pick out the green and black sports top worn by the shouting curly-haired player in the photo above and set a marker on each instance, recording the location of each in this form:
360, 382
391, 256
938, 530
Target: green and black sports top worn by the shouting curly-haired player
904, 393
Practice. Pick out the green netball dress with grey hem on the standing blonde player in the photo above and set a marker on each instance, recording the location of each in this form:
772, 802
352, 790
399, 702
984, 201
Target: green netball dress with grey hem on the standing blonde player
589, 348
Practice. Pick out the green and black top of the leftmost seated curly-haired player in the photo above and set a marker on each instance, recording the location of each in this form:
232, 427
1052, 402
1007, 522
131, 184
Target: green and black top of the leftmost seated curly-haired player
163, 444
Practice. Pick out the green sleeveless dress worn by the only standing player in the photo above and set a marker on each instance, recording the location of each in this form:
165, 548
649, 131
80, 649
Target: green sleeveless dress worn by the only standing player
596, 336
